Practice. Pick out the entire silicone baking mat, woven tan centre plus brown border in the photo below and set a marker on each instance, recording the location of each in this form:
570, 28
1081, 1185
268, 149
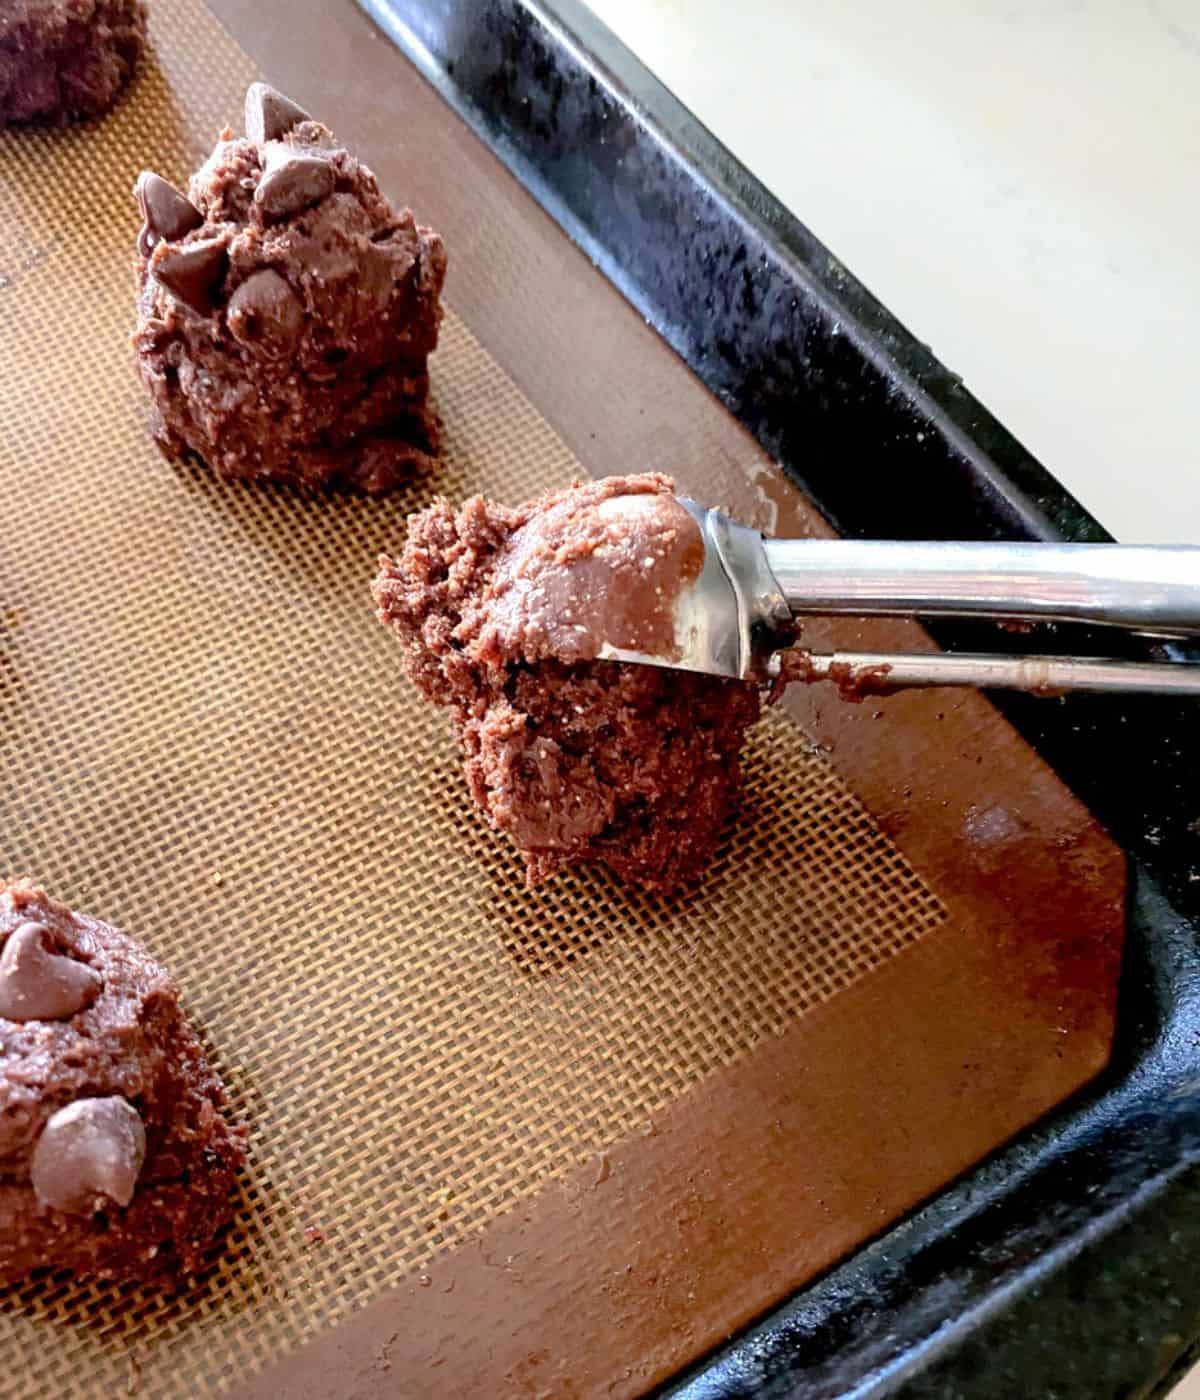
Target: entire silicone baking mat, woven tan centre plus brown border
468, 1102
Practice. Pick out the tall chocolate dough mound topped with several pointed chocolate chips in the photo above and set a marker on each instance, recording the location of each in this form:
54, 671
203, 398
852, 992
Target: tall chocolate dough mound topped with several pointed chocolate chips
288, 311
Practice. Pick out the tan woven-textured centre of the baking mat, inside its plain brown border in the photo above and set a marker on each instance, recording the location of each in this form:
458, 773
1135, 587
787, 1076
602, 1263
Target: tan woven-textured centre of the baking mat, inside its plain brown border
205, 738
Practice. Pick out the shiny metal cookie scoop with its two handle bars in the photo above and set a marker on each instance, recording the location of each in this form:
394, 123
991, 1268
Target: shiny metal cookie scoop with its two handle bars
737, 615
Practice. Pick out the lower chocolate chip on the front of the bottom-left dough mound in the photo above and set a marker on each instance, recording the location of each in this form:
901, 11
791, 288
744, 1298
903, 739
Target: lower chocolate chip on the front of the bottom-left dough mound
89, 1157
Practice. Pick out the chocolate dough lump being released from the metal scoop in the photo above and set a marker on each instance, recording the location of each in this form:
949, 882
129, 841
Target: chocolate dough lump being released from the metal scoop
576, 759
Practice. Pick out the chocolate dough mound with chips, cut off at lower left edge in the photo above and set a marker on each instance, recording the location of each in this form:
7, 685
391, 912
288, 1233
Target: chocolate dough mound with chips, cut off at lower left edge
116, 1156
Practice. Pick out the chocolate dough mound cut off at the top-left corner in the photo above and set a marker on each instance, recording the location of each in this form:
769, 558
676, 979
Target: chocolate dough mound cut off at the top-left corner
65, 59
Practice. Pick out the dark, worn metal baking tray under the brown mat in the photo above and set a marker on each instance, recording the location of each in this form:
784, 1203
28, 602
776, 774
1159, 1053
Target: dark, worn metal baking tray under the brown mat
1063, 1265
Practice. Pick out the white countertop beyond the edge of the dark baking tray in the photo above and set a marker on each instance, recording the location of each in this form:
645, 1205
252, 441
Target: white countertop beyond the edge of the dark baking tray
1017, 180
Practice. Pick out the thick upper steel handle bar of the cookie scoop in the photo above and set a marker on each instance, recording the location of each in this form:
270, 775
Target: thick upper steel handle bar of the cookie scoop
1153, 589
